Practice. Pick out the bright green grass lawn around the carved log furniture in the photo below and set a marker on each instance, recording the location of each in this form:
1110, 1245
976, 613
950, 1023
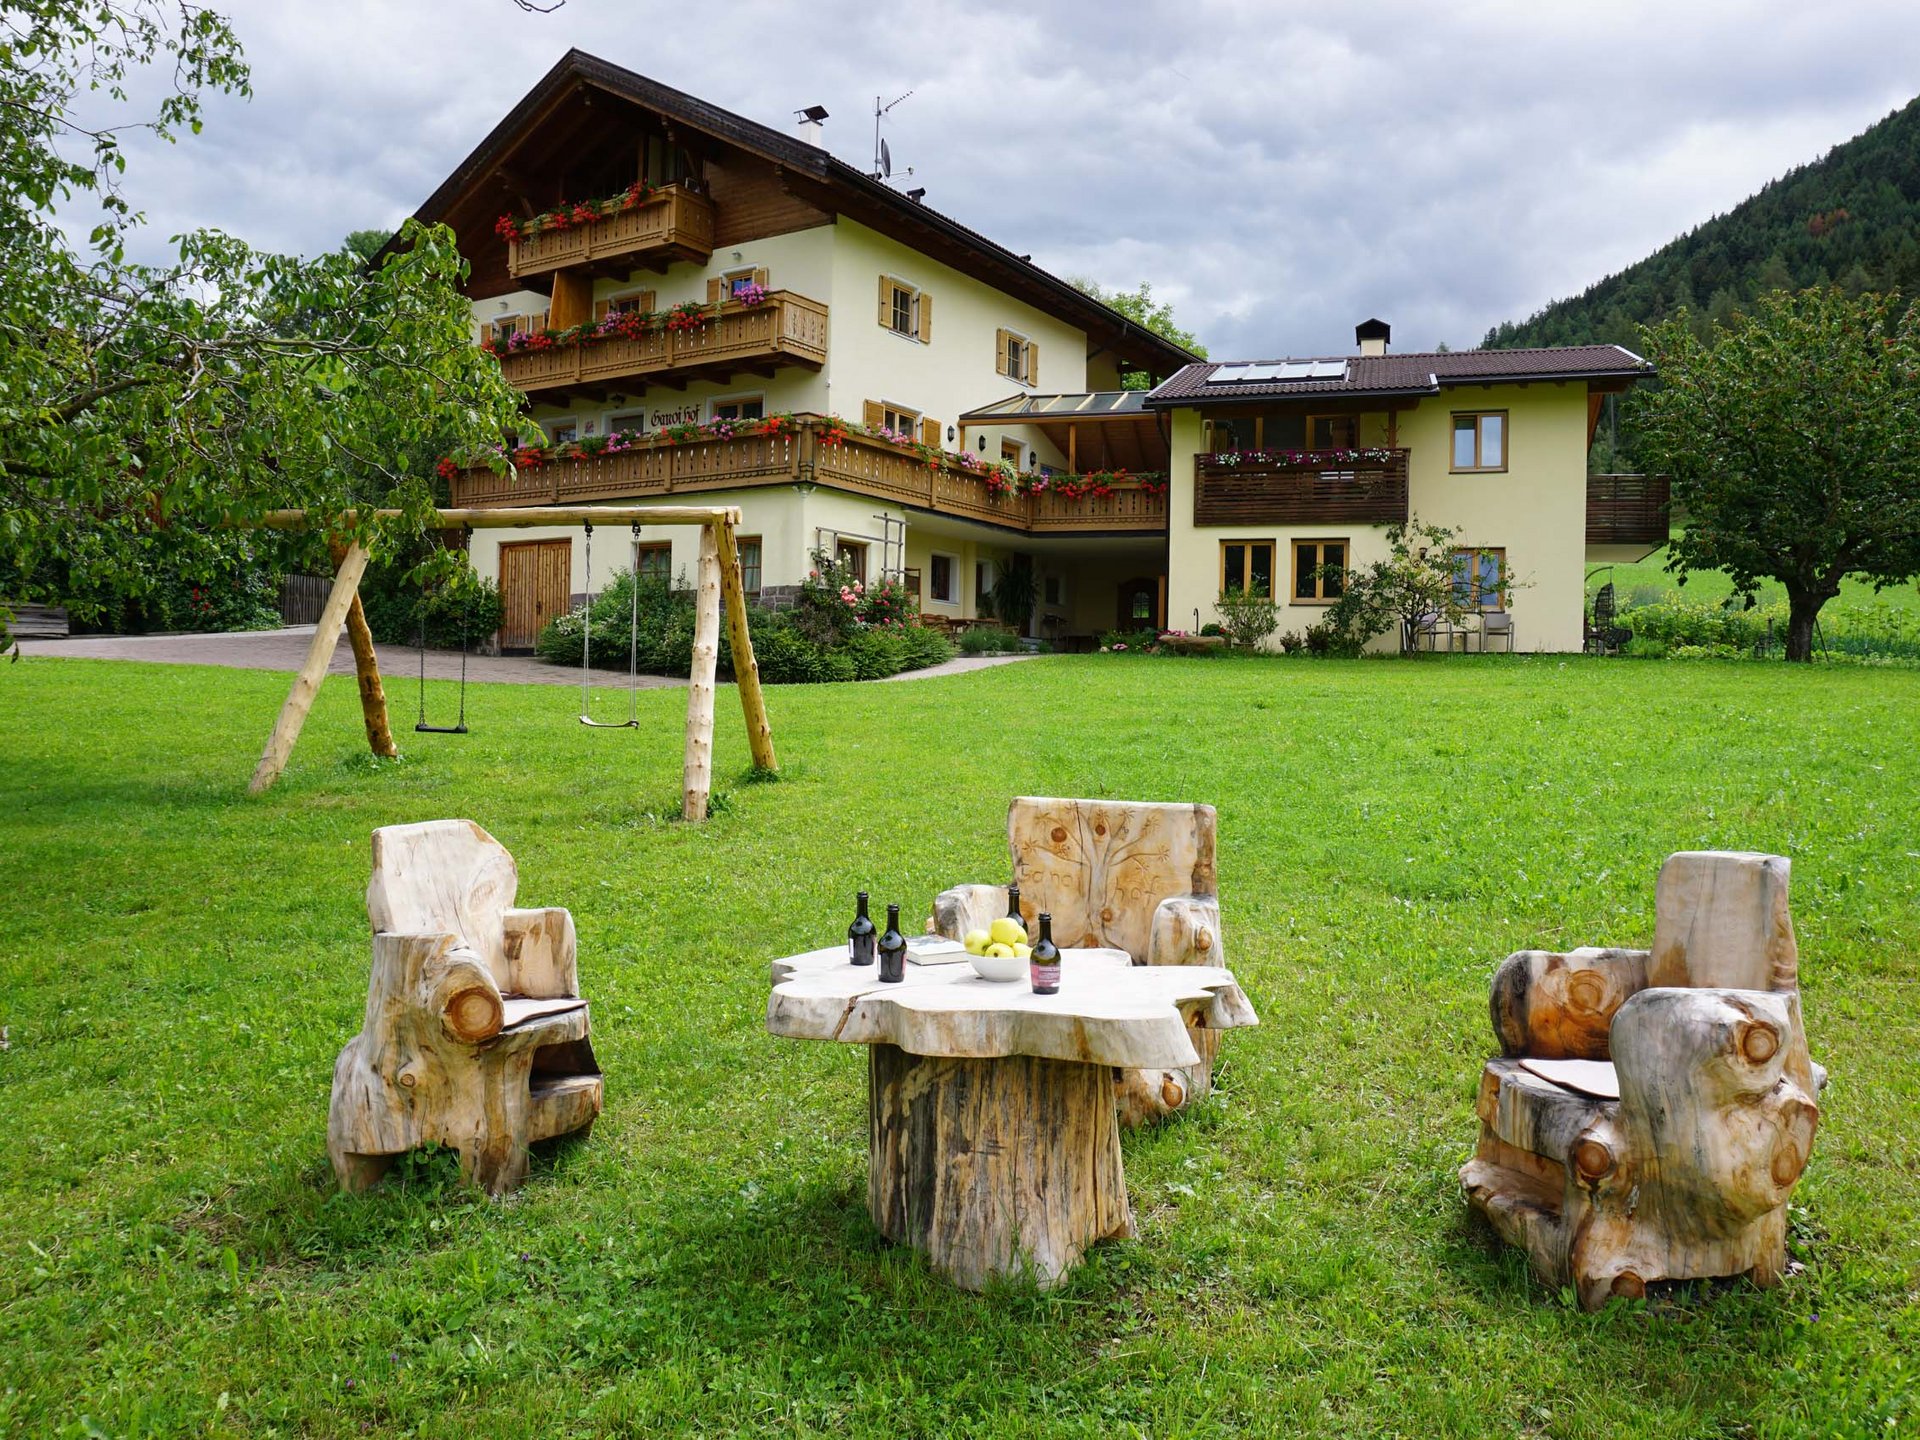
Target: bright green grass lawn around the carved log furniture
180, 967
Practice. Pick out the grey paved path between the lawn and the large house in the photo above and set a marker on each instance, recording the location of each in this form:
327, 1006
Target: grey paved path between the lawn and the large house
285, 650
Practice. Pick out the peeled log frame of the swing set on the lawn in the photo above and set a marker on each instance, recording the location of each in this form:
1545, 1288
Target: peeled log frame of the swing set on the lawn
717, 588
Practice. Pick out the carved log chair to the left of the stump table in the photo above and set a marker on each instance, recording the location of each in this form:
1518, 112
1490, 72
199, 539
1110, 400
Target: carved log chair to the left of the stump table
475, 1032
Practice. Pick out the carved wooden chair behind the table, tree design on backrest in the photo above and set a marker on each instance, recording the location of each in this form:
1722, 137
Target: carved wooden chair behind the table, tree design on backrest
1122, 875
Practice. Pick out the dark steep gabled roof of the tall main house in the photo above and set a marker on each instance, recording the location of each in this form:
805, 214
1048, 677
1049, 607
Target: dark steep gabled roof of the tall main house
830, 183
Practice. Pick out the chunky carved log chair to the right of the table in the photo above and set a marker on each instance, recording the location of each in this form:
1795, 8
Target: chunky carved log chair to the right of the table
1652, 1111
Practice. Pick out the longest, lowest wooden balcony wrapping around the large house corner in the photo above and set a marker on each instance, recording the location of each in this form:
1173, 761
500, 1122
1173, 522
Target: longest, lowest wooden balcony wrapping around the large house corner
857, 466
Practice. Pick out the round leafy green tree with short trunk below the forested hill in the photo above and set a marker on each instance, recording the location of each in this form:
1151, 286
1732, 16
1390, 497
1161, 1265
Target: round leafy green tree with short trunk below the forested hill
1794, 446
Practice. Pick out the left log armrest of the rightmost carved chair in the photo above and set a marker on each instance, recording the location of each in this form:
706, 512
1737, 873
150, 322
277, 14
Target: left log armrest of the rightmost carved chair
1562, 1007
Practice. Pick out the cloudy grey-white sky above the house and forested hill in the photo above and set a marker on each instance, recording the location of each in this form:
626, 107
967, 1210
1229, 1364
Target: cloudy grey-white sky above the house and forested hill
1278, 172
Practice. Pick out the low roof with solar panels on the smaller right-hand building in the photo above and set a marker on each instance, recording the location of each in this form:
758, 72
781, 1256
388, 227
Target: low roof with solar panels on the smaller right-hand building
1401, 375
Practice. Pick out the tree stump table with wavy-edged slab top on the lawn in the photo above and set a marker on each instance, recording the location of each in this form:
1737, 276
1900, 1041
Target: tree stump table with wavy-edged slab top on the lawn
994, 1141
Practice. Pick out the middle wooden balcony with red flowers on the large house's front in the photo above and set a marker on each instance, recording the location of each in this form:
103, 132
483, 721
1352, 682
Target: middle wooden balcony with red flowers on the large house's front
782, 331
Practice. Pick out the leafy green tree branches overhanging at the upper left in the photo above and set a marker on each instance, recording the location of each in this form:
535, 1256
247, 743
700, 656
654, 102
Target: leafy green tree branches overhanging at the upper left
147, 406
